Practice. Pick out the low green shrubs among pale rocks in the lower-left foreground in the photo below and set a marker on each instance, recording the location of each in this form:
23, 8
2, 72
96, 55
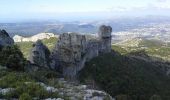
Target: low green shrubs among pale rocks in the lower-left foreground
25, 84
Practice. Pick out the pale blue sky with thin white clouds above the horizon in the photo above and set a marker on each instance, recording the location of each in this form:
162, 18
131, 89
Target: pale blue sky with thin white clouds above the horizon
59, 9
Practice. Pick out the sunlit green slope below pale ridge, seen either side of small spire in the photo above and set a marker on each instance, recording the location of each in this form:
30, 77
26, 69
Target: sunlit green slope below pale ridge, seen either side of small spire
27, 46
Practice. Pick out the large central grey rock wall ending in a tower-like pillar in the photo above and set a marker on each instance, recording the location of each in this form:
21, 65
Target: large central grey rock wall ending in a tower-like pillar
73, 50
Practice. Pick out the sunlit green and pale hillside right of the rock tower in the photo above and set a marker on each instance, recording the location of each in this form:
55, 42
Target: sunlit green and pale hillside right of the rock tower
155, 48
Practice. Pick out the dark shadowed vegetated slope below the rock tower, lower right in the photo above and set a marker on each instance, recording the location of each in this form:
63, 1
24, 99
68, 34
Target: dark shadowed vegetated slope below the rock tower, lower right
124, 77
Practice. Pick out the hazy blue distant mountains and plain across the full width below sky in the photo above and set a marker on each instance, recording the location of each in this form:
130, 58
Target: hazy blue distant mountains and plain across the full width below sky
123, 28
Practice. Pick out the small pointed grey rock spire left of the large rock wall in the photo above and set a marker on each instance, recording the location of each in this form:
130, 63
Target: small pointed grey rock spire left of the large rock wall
40, 55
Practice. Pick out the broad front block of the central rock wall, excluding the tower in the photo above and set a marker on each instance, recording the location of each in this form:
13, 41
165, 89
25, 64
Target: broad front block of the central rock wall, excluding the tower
70, 50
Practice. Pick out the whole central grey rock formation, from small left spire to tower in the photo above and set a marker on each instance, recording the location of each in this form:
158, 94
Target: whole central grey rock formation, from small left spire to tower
72, 51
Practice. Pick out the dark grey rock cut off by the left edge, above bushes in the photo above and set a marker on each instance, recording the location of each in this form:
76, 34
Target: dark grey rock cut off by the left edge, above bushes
5, 39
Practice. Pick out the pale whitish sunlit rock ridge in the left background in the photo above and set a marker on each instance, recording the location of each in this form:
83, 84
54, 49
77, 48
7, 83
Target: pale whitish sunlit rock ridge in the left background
34, 38
